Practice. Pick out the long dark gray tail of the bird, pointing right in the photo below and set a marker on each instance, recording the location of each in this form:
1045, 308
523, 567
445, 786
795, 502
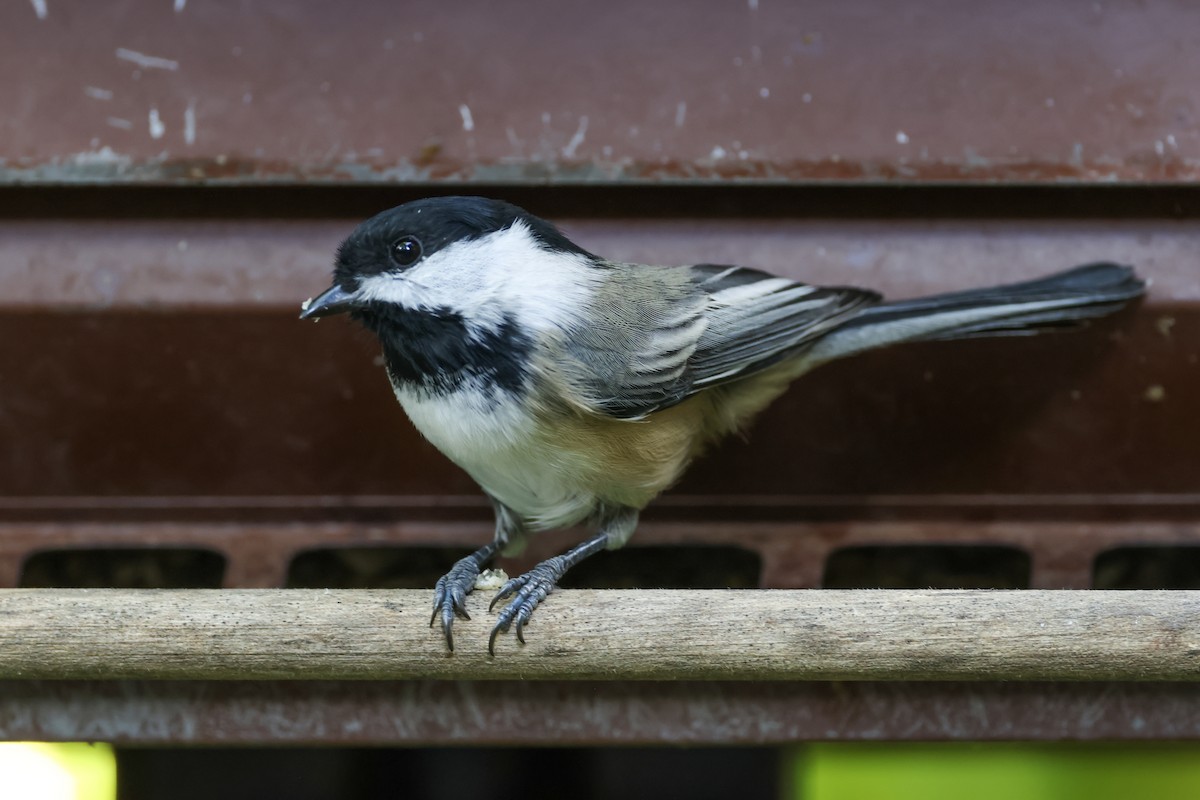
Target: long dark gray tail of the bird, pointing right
1060, 300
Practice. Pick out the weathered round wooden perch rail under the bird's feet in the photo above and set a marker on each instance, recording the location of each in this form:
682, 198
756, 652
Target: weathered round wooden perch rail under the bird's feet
746, 635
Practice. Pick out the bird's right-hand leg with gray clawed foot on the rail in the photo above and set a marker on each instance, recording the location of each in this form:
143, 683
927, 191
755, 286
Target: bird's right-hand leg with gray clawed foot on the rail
530, 590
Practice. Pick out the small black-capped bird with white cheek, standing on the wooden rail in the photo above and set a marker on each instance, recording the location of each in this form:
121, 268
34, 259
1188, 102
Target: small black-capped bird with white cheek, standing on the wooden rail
577, 389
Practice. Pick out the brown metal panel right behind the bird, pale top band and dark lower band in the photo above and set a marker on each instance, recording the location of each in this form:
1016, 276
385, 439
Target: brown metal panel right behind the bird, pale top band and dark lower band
197, 383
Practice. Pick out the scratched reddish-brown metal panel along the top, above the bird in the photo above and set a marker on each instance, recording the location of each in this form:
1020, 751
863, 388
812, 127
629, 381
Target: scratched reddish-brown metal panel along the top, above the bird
585, 93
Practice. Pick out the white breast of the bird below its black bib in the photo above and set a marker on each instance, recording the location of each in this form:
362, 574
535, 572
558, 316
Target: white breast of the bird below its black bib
494, 441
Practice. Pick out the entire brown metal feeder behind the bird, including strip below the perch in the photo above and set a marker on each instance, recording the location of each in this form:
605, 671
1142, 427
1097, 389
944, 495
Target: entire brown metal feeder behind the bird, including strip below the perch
173, 185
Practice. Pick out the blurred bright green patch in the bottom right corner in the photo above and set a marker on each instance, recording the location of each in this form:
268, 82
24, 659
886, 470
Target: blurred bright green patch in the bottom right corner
994, 772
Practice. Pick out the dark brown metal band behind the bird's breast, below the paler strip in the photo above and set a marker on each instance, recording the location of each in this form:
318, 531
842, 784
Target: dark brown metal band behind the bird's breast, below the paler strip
259, 405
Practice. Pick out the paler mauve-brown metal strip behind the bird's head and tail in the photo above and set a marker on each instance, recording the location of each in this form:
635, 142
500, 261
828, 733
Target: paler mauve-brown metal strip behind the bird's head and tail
267, 263
